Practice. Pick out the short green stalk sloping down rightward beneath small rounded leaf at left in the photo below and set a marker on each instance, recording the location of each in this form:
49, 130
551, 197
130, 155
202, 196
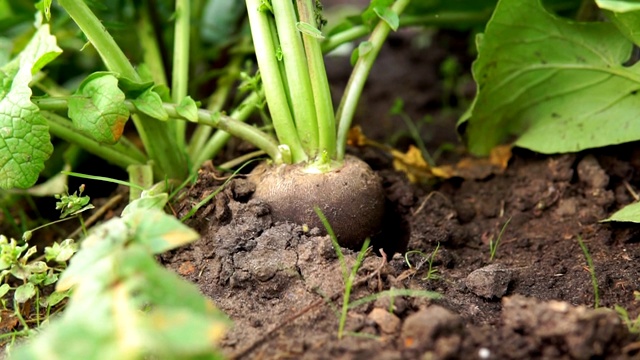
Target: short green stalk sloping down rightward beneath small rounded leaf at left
118, 154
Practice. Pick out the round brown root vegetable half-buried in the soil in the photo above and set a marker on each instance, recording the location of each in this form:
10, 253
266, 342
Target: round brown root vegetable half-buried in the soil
351, 197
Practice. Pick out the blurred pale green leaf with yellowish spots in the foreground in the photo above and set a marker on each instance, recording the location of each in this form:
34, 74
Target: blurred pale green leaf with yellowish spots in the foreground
124, 305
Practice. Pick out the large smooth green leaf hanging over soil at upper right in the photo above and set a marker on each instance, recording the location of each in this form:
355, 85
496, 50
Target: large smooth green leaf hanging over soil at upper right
552, 84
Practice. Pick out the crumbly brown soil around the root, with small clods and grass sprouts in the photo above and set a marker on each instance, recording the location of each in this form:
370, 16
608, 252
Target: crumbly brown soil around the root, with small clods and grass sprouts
282, 286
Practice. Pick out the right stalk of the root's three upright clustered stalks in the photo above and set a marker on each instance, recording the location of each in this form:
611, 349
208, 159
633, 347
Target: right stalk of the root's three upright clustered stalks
319, 83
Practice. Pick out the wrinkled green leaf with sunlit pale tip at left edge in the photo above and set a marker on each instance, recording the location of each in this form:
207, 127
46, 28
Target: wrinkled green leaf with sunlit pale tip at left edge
24, 134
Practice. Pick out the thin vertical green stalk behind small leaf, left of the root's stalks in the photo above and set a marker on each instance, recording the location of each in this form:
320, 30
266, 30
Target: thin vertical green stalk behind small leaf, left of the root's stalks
180, 73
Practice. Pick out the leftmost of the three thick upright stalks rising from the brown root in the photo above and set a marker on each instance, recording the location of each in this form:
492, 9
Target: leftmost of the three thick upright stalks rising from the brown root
272, 81
